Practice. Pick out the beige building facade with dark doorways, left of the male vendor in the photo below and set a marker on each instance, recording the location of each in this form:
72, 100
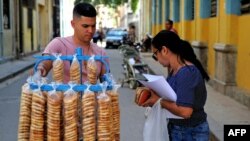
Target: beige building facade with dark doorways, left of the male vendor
26, 26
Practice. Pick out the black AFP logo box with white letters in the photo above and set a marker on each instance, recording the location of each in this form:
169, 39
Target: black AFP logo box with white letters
239, 132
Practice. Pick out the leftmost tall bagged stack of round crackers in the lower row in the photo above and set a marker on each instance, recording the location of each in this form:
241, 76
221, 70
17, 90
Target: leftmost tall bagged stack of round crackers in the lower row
25, 114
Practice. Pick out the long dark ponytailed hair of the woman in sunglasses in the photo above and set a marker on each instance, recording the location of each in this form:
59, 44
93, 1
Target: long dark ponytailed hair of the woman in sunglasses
179, 47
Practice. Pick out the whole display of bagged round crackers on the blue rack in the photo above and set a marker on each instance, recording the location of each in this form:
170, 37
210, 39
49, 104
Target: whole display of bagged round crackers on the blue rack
69, 114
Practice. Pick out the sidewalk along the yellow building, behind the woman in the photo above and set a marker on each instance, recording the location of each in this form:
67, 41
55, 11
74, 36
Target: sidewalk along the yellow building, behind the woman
221, 109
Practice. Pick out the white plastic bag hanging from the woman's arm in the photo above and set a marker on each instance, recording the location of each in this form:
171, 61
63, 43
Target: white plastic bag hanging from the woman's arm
155, 127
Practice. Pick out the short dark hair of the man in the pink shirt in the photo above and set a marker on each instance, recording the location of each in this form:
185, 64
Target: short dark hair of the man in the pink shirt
84, 9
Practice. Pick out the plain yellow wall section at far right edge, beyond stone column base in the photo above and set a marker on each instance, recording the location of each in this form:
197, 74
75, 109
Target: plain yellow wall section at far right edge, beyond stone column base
243, 53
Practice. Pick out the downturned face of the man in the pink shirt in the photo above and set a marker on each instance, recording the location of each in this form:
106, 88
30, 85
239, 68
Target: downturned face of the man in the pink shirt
84, 28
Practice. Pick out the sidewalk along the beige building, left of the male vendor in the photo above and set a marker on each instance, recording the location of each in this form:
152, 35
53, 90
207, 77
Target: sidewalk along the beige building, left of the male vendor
11, 68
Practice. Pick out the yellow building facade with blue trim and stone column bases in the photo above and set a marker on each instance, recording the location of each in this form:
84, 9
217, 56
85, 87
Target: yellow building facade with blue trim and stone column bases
219, 32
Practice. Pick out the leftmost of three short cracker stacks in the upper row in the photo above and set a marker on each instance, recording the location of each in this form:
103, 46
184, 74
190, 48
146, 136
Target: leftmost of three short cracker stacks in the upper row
58, 72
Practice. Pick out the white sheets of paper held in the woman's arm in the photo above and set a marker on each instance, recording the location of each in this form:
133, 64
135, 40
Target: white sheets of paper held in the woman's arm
161, 87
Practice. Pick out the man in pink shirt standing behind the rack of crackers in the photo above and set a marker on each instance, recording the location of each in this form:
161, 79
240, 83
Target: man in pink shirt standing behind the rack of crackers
84, 25
